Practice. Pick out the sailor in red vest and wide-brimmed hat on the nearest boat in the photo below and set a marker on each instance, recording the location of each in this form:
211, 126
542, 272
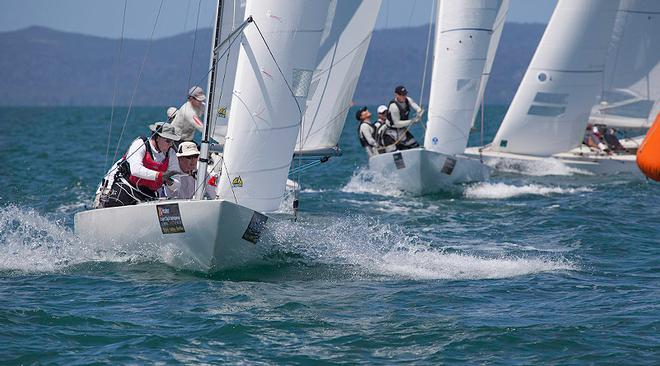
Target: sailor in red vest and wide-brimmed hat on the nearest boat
148, 164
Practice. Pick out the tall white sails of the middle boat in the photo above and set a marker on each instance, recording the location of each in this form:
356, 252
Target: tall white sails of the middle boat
463, 43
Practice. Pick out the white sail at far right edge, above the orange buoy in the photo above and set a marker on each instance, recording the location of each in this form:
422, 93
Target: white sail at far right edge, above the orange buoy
632, 73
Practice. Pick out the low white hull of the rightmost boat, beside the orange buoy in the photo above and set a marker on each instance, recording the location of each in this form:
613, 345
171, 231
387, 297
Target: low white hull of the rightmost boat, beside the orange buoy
582, 158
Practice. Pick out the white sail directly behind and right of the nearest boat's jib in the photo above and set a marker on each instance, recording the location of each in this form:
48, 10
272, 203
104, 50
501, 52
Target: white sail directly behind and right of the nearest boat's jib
344, 45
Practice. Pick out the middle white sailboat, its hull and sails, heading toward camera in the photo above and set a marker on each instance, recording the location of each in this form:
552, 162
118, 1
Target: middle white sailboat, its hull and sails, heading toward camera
466, 37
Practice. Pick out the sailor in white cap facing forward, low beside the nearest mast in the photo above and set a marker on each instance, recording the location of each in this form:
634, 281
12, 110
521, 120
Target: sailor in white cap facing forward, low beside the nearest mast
185, 184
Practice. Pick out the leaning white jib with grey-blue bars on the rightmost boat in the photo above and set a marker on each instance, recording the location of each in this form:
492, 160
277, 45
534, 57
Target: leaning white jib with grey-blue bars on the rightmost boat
550, 110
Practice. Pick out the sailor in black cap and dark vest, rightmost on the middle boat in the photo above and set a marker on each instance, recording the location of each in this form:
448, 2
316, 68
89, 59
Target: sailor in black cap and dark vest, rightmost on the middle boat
399, 118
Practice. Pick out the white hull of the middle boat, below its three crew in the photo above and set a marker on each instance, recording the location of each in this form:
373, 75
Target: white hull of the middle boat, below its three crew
420, 171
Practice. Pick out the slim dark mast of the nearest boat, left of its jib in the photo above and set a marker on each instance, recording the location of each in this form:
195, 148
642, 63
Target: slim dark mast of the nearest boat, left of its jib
204, 151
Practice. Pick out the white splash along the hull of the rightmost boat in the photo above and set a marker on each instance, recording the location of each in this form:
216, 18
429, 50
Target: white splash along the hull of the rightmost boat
536, 168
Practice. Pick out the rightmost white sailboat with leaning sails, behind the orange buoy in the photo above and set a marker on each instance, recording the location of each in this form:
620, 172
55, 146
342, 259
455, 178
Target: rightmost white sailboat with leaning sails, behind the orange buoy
597, 63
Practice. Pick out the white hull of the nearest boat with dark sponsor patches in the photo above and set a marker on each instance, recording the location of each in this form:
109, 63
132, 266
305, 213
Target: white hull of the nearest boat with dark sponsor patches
204, 236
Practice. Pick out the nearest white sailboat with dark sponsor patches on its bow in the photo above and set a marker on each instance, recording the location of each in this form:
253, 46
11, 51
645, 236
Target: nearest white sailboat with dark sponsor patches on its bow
277, 56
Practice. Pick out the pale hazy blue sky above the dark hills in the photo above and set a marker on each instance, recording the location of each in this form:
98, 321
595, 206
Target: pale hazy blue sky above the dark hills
103, 17
